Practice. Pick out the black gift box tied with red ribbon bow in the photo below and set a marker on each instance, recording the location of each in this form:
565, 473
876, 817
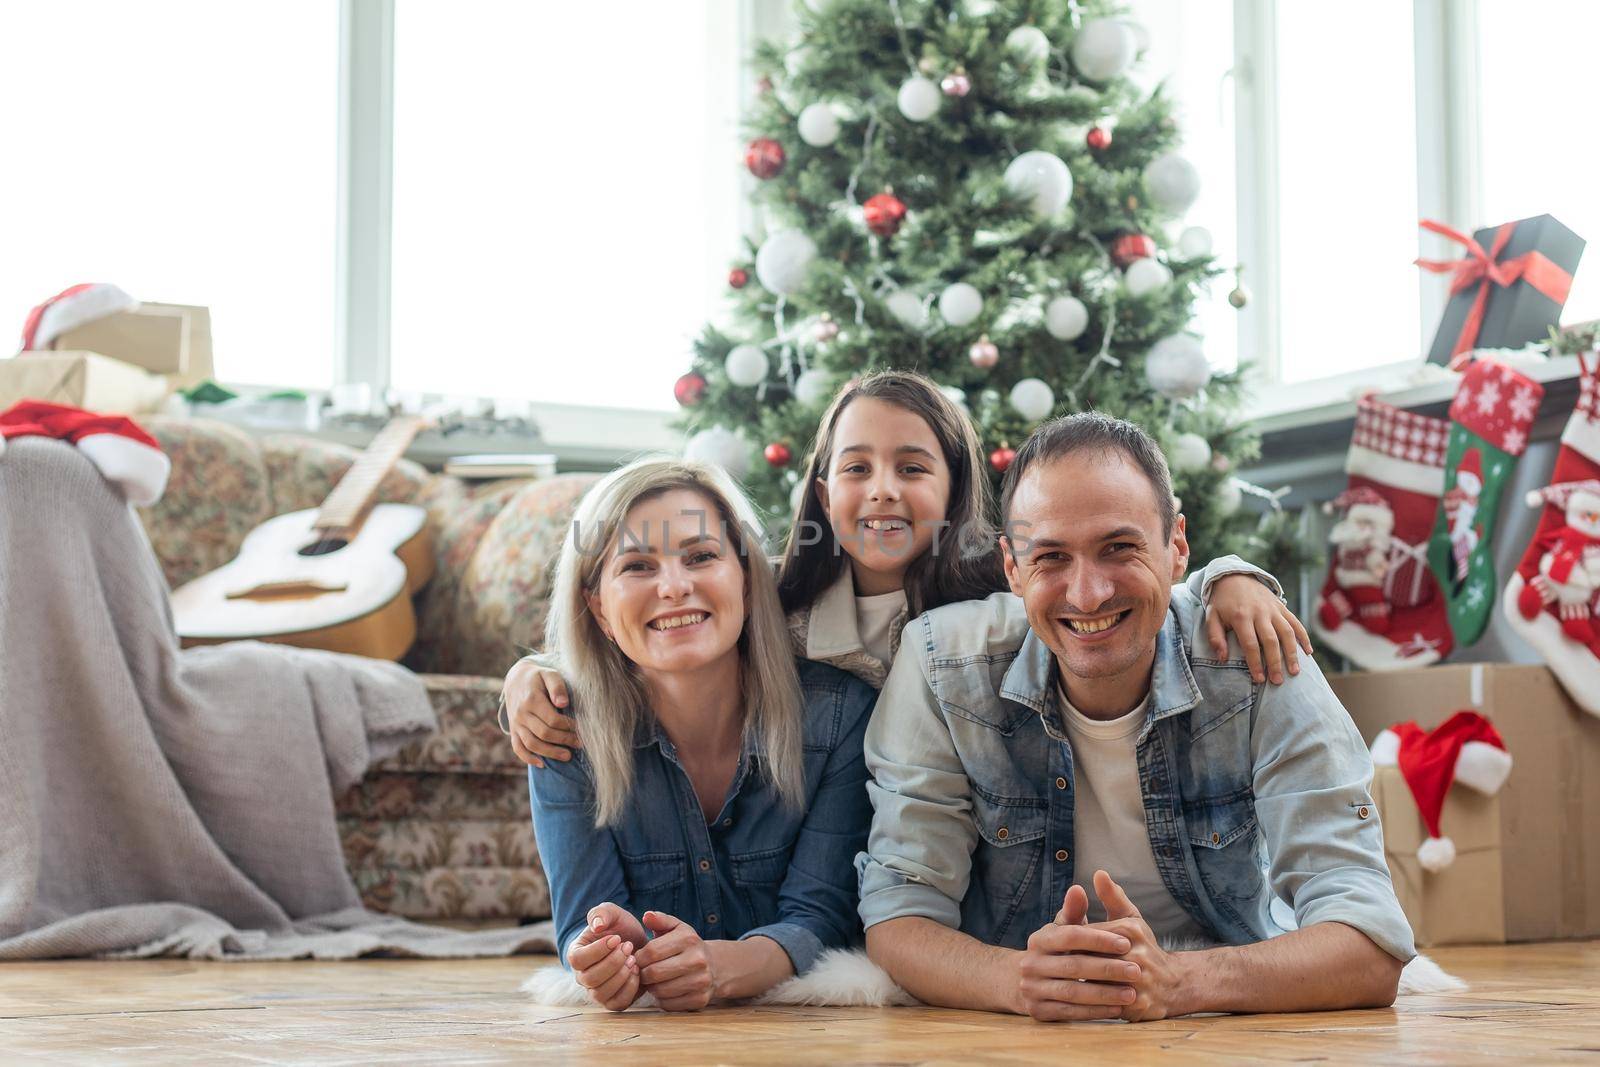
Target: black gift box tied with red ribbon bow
1518, 314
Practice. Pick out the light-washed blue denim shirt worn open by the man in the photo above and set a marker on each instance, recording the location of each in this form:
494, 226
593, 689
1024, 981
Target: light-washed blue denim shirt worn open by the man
1250, 793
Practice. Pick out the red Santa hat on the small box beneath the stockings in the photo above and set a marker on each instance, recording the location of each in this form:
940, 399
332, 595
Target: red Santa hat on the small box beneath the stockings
1465, 749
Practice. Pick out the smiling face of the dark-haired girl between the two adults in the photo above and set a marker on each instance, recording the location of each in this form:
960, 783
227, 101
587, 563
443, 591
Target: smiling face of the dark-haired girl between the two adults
887, 490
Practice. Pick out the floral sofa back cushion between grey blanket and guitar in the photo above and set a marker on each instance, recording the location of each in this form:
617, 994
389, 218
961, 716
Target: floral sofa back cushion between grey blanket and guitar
217, 494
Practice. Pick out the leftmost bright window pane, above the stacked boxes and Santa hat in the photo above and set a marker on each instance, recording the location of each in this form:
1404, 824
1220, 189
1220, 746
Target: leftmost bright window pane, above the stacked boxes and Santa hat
188, 153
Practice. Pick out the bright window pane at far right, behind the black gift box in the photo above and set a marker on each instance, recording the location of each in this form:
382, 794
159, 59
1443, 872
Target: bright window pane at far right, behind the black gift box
1535, 60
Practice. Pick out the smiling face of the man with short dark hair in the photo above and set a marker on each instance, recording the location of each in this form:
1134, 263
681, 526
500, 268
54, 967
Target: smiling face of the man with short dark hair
1087, 556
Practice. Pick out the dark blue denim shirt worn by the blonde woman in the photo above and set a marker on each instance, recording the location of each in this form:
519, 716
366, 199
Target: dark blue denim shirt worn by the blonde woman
758, 869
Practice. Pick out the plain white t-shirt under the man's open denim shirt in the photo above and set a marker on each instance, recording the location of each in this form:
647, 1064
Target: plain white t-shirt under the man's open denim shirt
1108, 820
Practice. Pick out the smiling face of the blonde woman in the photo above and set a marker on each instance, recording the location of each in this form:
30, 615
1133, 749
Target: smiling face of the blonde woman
671, 591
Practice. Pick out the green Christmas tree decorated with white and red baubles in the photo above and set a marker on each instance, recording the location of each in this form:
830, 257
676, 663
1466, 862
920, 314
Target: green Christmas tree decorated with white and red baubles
974, 190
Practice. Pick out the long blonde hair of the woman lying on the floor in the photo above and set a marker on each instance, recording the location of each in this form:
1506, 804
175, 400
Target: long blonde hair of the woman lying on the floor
609, 693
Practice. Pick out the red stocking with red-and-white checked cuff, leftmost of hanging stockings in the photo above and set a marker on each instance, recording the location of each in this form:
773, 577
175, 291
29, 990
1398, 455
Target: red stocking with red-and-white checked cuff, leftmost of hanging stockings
1382, 607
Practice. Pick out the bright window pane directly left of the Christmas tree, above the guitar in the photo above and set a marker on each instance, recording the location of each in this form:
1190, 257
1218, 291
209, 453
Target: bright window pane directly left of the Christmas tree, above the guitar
566, 196
